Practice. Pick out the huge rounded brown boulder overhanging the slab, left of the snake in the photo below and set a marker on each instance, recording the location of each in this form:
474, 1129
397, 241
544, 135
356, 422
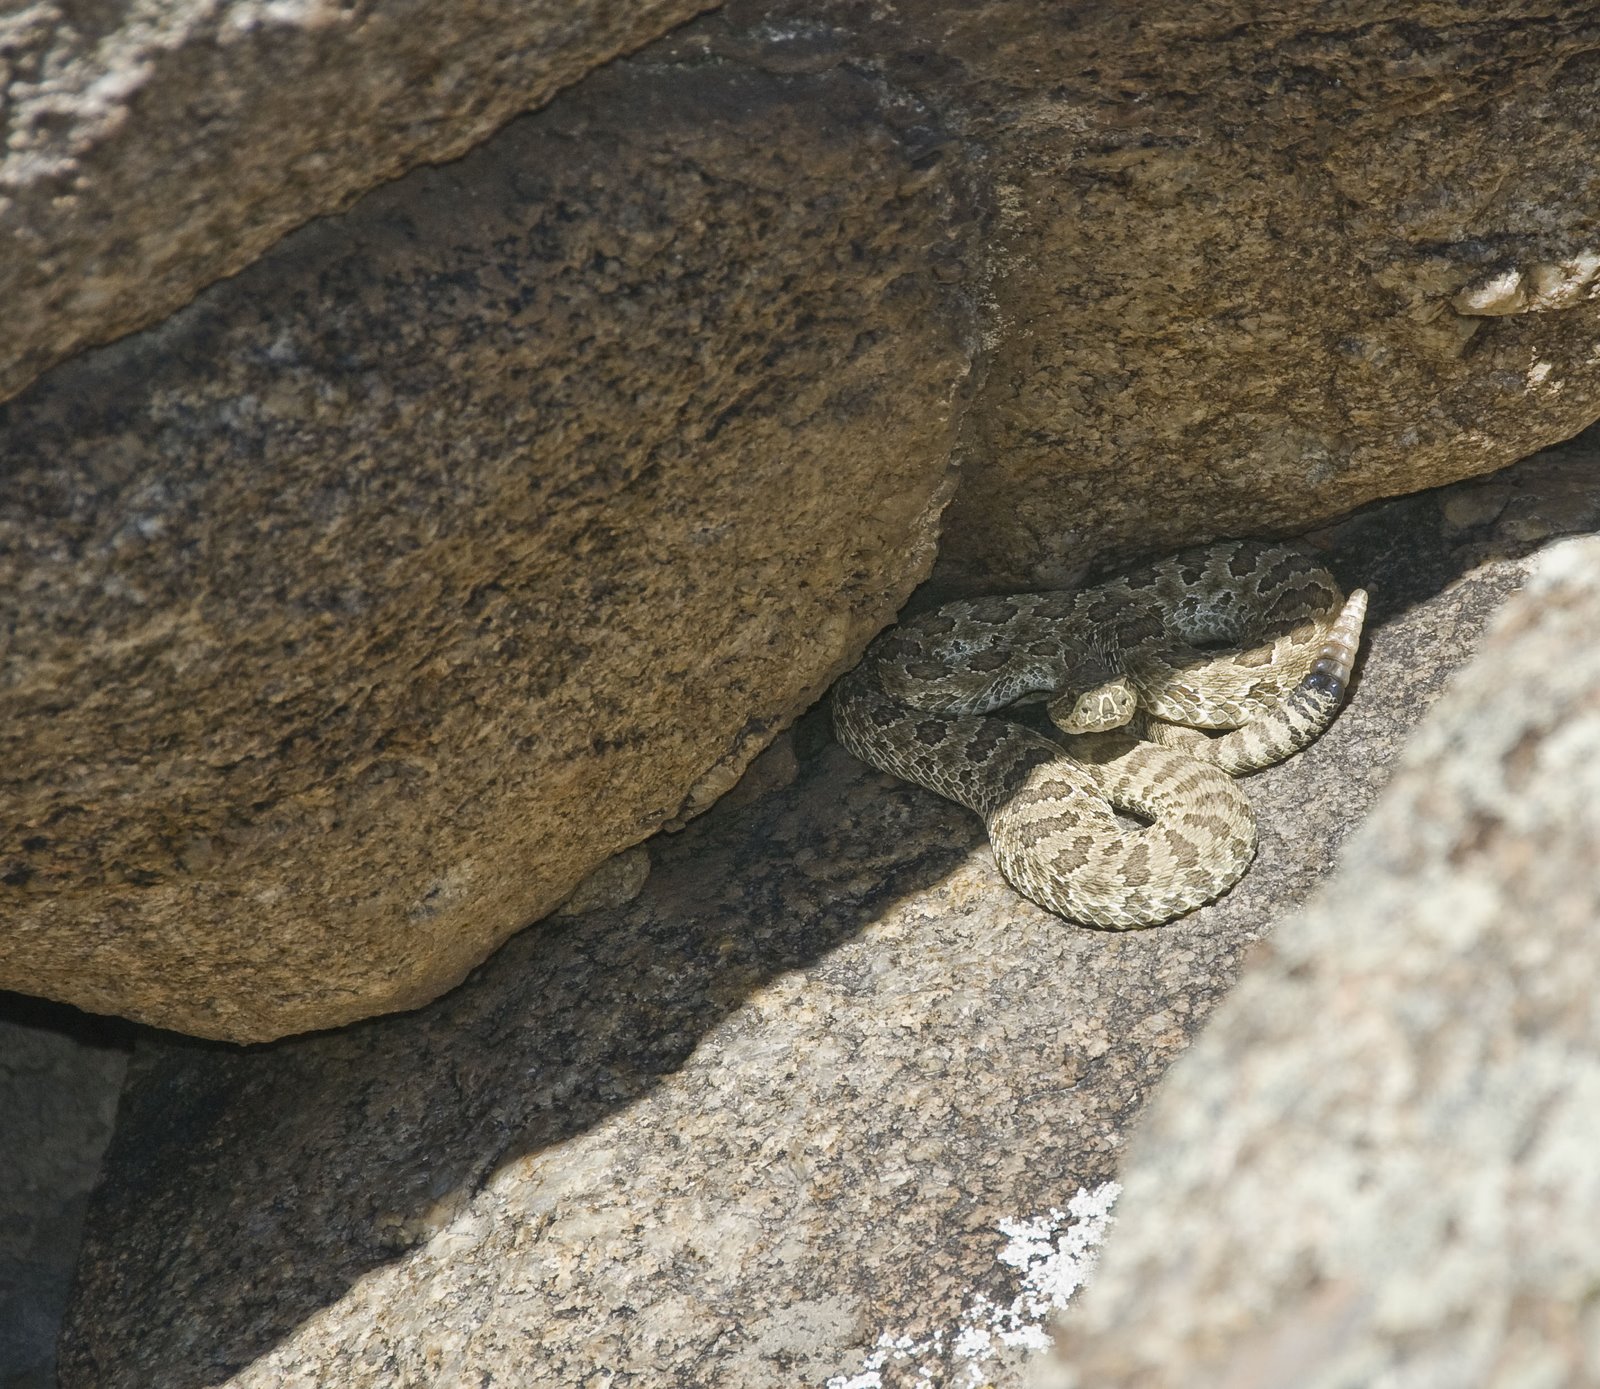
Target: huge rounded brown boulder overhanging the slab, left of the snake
362, 609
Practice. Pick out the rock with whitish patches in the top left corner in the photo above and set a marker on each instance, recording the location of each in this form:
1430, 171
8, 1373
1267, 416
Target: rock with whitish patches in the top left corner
151, 150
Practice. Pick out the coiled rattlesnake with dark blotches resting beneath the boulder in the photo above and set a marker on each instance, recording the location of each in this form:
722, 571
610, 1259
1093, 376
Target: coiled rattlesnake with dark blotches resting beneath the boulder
1247, 638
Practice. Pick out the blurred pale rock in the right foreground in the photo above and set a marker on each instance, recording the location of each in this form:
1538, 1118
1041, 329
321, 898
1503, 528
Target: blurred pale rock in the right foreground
1378, 1166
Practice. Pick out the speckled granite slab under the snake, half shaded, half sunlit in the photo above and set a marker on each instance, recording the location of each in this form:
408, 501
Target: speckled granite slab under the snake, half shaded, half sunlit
774, 1108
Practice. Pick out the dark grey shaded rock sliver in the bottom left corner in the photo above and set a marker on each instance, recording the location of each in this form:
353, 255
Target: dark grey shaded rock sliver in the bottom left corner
60, 1076
